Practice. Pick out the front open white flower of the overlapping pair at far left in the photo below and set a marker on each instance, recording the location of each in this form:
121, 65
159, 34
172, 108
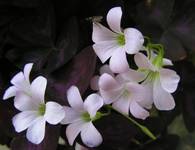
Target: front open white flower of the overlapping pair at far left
35, 113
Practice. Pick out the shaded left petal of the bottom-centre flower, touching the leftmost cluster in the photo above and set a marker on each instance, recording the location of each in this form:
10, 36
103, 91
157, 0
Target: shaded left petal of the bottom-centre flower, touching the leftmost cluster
71, 116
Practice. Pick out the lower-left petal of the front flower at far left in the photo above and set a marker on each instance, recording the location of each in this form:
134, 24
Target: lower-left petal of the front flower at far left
23, 120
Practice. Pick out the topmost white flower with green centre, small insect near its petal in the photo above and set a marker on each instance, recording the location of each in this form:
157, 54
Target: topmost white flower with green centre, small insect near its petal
116, 43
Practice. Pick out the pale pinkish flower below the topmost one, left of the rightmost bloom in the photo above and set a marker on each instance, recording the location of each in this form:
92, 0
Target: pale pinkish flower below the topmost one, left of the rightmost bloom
125, 96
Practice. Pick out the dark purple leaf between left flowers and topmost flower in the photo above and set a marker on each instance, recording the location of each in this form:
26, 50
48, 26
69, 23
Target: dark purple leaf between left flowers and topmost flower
77, 72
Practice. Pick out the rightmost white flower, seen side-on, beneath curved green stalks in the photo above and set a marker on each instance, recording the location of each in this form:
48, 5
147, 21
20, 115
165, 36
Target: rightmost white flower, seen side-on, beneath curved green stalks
160, 82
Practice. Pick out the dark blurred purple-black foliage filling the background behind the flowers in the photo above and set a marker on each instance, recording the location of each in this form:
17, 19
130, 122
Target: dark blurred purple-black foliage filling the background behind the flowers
56, 36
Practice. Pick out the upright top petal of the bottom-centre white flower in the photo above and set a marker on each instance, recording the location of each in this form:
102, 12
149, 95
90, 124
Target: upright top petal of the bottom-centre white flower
74, 98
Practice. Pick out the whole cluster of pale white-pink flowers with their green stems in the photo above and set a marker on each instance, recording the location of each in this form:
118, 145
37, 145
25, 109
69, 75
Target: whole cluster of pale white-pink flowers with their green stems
118, 87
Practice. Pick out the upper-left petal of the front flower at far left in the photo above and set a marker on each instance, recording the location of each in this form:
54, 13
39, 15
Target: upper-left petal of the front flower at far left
24, 102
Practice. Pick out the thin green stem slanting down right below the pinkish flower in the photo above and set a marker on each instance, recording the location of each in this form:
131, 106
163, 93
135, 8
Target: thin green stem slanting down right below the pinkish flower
144, 129
